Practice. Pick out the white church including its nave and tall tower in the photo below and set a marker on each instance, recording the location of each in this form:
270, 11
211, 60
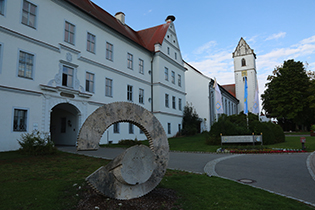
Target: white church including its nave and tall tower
201, 92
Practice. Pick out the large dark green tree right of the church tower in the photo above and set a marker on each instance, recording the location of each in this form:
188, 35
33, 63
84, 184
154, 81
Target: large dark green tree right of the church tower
286, 96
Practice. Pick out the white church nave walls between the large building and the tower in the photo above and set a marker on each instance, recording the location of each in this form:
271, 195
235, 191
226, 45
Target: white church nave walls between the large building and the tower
201, 95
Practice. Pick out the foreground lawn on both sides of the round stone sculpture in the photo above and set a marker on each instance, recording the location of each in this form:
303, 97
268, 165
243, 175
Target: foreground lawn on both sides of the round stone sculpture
47, 182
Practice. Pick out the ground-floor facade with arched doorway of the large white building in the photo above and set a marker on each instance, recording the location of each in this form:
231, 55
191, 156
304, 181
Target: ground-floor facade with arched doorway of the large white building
62, 118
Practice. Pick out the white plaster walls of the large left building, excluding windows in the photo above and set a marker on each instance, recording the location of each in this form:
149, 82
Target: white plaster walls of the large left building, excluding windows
50, 32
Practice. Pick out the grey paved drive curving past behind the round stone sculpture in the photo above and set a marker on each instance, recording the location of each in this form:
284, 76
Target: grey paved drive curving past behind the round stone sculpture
291, 175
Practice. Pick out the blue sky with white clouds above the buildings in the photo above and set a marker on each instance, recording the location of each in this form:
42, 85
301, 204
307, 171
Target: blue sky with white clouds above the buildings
208, 31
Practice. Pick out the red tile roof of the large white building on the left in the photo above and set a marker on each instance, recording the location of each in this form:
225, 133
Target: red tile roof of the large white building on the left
146, 38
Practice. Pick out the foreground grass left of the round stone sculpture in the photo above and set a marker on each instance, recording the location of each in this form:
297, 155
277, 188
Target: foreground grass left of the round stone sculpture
43, 182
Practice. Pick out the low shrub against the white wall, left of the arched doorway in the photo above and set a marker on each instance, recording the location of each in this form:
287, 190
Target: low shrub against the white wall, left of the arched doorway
36, 143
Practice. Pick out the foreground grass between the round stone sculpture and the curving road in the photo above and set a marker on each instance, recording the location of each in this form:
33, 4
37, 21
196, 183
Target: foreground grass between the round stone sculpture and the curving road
203, 192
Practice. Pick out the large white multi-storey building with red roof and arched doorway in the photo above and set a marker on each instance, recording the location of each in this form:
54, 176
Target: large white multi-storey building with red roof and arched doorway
62, 59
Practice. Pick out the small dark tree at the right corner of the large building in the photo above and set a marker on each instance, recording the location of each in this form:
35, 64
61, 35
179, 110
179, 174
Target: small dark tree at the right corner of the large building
191, 121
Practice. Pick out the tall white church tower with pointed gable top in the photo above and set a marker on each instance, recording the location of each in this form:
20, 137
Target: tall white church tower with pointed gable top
245, 66
